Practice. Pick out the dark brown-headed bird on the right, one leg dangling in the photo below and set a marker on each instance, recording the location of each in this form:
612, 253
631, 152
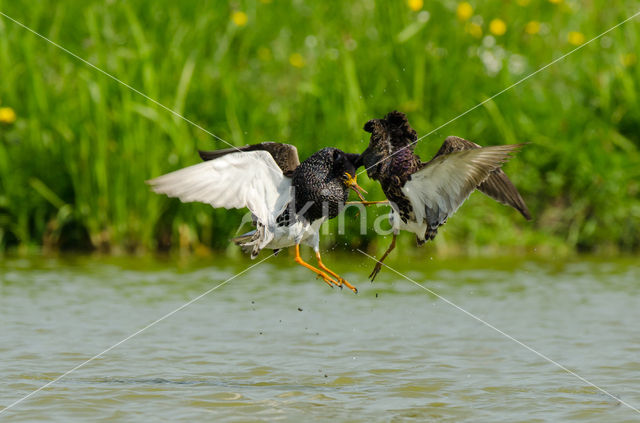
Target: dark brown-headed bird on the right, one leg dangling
424, 195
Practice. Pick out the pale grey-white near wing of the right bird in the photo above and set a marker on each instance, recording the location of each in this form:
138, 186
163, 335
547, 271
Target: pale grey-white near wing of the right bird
437, 190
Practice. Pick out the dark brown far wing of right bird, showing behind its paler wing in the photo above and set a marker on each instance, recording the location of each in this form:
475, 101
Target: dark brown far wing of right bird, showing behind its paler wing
497, 186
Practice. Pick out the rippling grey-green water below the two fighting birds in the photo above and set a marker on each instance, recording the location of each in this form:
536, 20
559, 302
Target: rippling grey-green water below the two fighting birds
277, 345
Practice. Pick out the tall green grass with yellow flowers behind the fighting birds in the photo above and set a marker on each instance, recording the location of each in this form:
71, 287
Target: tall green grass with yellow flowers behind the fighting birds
74, 161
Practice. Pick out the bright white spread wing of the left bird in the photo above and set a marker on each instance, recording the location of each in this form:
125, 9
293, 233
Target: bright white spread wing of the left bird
236, 180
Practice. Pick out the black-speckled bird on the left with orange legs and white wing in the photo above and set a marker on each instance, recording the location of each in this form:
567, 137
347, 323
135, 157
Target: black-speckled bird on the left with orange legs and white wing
288, 200
